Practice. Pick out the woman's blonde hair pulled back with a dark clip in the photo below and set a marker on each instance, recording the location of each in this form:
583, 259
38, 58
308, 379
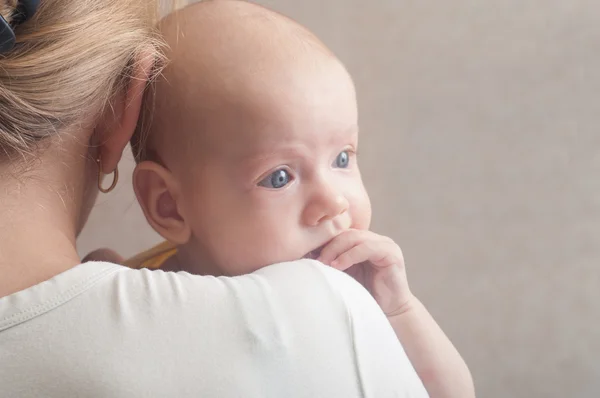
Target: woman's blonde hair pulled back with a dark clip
69, 61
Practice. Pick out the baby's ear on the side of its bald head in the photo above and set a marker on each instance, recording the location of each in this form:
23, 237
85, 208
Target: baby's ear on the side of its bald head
157, 192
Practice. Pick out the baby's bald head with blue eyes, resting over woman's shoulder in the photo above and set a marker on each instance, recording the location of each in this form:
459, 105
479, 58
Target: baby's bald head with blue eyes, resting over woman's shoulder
249, 158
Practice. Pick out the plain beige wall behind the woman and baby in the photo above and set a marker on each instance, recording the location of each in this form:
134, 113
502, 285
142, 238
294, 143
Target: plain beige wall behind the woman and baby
481, 151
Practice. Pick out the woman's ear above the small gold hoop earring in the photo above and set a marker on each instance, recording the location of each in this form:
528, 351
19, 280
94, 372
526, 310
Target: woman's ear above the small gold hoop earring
116, 126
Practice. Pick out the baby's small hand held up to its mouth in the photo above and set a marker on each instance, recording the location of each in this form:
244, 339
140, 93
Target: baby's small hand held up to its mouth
376, 262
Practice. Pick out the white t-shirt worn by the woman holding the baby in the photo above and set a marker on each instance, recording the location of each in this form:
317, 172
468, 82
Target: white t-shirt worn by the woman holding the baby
296, 329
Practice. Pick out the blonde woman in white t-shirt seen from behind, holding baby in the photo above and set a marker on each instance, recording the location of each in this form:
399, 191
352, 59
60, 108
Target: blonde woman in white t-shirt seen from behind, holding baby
72, 74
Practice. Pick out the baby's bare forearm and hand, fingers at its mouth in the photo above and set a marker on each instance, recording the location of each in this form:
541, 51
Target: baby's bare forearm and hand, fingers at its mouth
377, 263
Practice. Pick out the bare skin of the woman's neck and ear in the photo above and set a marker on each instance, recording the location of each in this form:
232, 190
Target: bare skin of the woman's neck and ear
46, 201
